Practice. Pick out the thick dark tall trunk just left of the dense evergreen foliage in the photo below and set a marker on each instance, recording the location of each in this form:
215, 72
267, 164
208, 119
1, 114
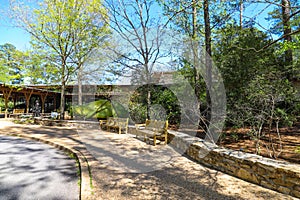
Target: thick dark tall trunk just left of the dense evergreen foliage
208, 62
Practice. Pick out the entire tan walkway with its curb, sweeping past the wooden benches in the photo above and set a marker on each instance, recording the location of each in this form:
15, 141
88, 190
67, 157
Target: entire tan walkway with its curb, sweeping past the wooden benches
117, 172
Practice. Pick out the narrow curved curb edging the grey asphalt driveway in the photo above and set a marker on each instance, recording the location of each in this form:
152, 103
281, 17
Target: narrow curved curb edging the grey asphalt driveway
86, 185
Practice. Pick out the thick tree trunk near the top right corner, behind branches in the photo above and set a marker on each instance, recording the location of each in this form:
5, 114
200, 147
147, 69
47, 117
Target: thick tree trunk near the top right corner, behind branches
286, 12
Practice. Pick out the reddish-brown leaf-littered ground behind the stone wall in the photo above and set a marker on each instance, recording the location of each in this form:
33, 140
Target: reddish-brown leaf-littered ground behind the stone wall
288, 149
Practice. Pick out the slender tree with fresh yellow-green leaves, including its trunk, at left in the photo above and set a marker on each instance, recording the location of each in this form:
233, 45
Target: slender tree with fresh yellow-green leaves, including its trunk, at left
66, 32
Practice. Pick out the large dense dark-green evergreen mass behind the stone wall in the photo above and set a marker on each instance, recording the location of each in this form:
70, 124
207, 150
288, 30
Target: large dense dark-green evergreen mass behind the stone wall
256, 87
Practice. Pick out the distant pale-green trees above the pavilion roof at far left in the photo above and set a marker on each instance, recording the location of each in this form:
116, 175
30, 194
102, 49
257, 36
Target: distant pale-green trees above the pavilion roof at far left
28, 67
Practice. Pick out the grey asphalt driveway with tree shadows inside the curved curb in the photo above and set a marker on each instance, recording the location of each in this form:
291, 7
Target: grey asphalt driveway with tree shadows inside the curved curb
33, 170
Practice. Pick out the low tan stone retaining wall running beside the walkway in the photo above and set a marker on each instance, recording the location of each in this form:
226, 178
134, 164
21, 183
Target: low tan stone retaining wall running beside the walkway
281, 176
